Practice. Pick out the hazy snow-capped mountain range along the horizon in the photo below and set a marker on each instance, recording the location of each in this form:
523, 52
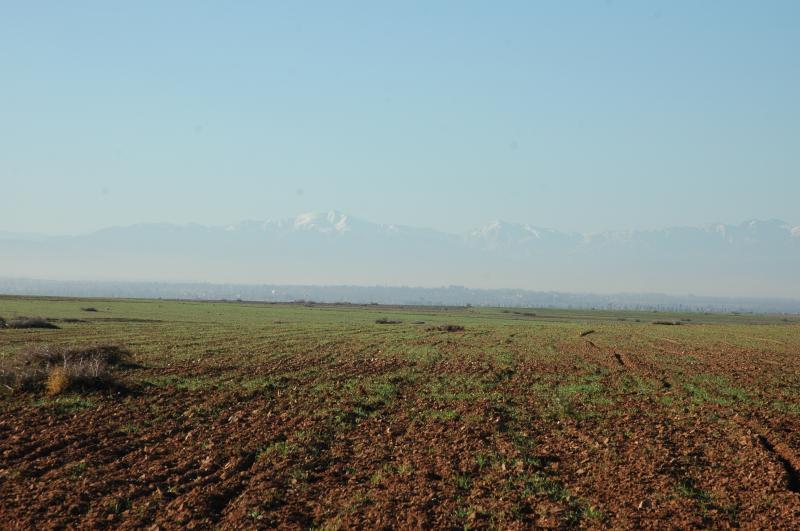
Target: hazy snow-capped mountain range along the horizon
753, 259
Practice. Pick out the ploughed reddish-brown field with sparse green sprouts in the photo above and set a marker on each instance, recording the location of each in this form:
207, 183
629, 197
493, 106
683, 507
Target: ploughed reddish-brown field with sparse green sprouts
255, 415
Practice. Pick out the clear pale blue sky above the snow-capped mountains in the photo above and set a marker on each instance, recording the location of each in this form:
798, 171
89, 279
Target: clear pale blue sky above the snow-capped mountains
574, 115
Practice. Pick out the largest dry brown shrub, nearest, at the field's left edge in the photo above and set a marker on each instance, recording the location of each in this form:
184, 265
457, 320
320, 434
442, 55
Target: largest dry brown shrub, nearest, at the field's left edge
61, 368
